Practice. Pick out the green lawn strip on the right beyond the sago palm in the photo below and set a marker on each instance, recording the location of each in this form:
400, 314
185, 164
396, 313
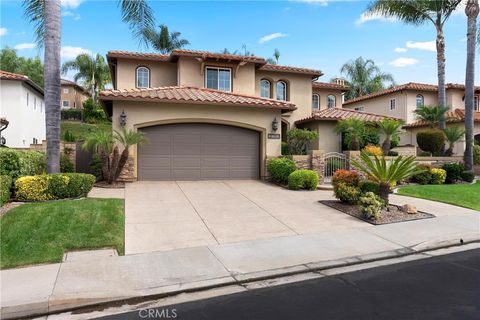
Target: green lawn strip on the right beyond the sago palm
464, 195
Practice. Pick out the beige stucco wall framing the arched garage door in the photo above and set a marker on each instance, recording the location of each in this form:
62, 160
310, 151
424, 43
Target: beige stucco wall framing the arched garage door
143, 114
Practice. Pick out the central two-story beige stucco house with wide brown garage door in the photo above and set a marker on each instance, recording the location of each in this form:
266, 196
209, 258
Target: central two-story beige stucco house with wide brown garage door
209, 115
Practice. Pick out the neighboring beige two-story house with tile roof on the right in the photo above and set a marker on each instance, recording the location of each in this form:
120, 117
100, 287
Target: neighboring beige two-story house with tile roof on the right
401, 102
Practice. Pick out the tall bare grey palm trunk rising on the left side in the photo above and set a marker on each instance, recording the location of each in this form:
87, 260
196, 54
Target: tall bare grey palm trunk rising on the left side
52, 83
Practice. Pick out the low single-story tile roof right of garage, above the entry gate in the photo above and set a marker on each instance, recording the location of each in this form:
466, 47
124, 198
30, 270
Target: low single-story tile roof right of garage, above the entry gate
336, 114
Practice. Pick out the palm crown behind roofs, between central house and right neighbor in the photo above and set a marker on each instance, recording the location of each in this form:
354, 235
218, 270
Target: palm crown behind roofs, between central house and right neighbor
364, 77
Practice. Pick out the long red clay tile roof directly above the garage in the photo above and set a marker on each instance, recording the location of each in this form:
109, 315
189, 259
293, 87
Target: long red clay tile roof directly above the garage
183, 94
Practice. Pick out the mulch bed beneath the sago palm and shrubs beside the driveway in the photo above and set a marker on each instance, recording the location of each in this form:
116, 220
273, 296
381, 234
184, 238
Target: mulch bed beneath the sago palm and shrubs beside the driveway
391, 214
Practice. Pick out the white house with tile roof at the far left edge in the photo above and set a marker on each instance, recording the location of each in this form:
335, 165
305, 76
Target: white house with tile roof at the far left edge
22, 105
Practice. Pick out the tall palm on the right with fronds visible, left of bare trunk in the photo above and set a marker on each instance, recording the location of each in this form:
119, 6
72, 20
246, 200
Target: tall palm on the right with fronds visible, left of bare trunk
418, 12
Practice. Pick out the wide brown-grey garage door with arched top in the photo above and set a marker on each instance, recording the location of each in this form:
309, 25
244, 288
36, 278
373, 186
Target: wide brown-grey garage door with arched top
197, 151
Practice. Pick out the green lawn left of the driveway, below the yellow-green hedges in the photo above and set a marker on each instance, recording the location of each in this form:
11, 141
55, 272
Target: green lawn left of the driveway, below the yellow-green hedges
41, 232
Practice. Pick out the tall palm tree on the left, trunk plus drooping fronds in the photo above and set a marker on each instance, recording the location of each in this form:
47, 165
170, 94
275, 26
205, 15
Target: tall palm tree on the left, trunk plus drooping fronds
46, 17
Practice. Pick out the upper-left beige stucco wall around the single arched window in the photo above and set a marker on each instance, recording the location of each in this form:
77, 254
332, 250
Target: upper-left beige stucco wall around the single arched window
161, 73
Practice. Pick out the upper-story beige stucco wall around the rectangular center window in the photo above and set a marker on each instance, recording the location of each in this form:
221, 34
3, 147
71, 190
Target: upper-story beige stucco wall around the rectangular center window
191, 73
